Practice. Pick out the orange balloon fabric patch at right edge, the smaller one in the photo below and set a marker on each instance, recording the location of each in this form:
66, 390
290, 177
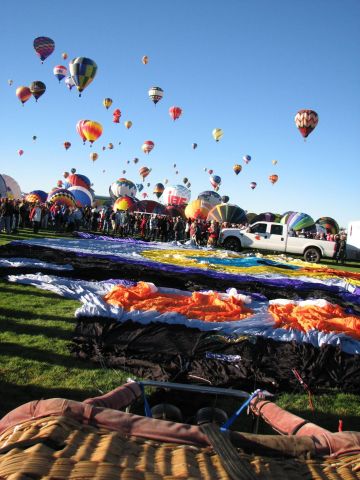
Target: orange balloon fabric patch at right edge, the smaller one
327, 318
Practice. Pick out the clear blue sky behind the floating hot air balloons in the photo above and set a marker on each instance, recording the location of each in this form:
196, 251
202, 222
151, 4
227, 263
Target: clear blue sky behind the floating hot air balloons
244, 66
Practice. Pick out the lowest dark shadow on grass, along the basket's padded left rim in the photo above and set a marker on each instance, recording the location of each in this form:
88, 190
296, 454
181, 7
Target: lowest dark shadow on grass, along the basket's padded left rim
12, 395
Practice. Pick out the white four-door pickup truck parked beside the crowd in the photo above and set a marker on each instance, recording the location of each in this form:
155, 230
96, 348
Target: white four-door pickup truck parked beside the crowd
275, 237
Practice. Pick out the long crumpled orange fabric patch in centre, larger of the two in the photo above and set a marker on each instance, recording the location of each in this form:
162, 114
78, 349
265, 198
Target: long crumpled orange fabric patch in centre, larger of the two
207, 307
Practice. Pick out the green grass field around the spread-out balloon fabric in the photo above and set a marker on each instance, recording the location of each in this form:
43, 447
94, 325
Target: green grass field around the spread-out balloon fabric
36, 328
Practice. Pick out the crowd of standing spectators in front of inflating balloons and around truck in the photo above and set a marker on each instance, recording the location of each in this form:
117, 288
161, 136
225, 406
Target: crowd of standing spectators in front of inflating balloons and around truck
15, 214
